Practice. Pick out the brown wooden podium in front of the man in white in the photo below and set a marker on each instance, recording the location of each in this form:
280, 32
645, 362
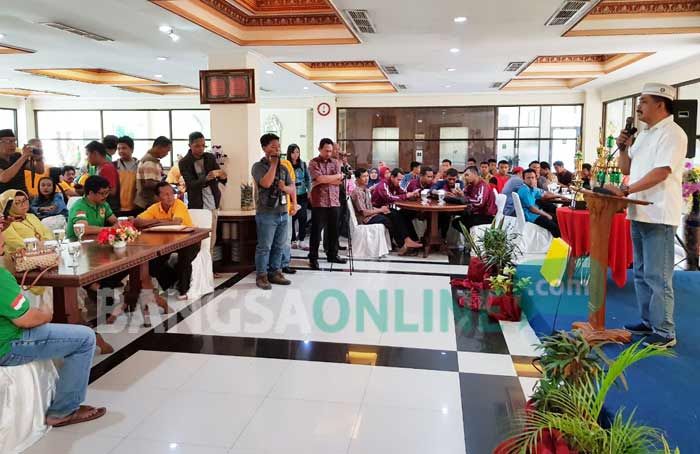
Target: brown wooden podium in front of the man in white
602, 209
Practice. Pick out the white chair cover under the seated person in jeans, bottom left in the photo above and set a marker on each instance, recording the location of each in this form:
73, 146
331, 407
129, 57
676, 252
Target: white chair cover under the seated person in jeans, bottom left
25, 394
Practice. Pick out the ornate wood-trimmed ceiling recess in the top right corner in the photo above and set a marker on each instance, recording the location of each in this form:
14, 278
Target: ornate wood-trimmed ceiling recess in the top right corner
641, 17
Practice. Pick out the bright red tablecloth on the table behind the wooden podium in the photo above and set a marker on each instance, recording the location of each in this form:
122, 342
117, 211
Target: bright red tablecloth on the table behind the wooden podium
575, 230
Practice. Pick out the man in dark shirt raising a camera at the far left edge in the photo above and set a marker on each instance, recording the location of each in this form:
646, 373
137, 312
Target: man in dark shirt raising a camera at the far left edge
13, 164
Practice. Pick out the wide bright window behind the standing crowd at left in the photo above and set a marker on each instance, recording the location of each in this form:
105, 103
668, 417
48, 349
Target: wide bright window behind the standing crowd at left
65, 133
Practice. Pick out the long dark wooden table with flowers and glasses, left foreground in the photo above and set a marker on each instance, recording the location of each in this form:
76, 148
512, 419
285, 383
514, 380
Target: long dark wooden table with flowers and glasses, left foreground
97, 262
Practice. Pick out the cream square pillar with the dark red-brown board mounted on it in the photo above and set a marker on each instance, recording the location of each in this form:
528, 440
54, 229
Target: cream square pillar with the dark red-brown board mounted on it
236, 127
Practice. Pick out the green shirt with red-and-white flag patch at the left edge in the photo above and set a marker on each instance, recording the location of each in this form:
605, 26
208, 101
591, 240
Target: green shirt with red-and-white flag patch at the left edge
13, 305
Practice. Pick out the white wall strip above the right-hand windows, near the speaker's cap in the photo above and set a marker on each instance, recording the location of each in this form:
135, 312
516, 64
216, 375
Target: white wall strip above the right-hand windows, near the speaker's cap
688, 69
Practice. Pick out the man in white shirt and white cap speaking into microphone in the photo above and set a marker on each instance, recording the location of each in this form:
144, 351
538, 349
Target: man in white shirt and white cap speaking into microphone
654, 162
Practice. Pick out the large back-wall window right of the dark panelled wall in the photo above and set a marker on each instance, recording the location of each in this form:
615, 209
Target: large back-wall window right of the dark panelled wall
538, 133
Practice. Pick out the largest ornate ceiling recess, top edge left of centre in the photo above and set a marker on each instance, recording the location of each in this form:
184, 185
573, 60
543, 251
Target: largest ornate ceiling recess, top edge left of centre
266, 22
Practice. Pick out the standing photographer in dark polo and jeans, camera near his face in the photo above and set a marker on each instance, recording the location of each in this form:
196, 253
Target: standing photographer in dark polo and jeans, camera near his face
273, 183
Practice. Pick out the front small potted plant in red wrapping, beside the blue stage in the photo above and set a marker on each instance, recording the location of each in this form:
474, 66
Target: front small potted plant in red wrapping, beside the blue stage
504, 300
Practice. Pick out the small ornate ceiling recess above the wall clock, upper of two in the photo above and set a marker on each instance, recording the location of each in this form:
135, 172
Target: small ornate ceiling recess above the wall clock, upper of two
349, 71
